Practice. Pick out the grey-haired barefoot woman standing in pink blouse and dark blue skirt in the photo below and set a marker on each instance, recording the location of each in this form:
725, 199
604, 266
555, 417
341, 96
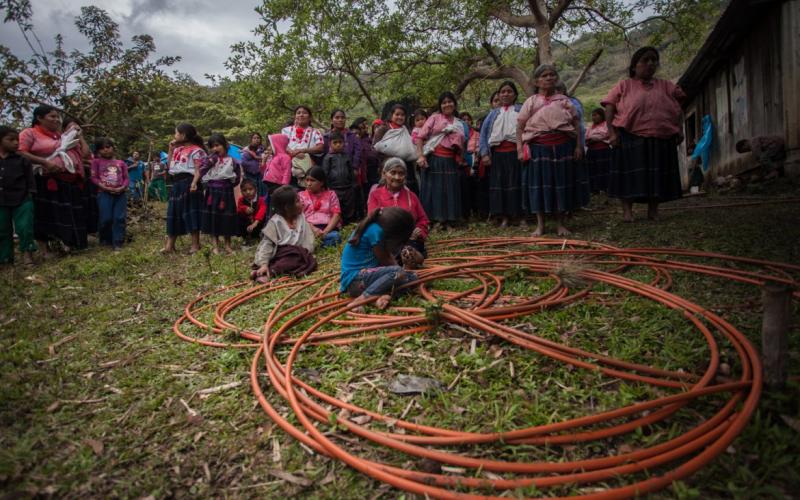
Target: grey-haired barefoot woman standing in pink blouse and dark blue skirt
547, 127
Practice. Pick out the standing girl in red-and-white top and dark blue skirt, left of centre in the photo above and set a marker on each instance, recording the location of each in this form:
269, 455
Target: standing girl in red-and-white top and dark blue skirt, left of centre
186, 155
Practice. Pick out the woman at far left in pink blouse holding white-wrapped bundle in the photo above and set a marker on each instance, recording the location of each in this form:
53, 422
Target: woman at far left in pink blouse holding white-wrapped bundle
59, 210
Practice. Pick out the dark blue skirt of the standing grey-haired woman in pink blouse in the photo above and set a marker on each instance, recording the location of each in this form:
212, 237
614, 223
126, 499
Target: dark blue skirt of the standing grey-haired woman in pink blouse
553, 181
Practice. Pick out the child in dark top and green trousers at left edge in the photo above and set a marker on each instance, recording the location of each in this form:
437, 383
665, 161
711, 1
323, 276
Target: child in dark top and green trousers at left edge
16, 203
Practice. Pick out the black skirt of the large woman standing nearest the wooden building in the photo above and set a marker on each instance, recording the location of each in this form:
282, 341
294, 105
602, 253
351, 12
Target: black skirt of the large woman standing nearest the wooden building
644, 169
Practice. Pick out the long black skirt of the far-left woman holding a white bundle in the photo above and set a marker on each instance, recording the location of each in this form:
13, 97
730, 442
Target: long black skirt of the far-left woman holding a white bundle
59, 212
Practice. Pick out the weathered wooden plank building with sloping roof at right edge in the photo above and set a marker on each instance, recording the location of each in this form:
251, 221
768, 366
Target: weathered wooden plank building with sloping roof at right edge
747, 77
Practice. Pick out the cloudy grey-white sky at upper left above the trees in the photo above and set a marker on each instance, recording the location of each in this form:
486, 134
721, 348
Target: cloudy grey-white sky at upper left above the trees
200, 31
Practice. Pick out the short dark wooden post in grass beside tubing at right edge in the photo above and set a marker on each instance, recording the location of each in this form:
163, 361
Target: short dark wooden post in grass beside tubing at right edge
777, 300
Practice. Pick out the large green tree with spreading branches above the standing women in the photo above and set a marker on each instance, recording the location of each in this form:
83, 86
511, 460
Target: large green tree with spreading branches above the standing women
420, 47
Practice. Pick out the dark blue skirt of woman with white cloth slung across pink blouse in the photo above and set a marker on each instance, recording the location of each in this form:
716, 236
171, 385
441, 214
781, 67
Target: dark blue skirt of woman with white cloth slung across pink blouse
441, 189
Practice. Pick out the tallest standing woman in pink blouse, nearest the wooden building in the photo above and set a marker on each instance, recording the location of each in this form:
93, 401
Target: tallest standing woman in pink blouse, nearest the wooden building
643, 115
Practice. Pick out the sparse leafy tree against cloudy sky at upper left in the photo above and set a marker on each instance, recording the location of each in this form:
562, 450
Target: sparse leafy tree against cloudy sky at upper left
105, 88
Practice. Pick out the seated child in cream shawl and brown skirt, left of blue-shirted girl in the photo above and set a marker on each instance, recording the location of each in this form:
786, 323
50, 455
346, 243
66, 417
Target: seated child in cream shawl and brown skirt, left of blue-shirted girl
286, 241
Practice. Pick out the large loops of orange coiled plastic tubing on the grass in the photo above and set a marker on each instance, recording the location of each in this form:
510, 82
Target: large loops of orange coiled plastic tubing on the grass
311, 312
